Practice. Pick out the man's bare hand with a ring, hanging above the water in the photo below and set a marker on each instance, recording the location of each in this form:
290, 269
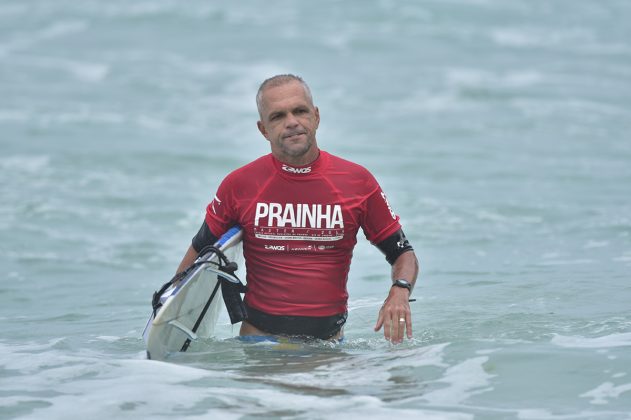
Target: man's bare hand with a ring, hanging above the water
395, 315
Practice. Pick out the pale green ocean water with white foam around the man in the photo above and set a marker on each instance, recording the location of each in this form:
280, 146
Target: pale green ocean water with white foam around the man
499, 130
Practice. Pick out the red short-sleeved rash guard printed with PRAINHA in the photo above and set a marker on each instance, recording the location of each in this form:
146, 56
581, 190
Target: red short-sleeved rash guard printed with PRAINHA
300, 226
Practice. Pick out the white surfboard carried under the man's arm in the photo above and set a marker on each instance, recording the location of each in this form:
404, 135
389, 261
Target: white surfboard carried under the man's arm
190, 308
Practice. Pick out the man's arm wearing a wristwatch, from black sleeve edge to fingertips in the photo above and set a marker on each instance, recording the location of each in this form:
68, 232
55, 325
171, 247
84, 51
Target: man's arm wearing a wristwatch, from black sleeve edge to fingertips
395, 316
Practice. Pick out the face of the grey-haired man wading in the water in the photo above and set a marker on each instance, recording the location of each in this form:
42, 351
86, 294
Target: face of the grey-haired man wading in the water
289, 122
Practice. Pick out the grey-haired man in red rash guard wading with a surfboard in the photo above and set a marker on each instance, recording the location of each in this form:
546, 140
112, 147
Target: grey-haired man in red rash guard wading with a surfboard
300, 209
